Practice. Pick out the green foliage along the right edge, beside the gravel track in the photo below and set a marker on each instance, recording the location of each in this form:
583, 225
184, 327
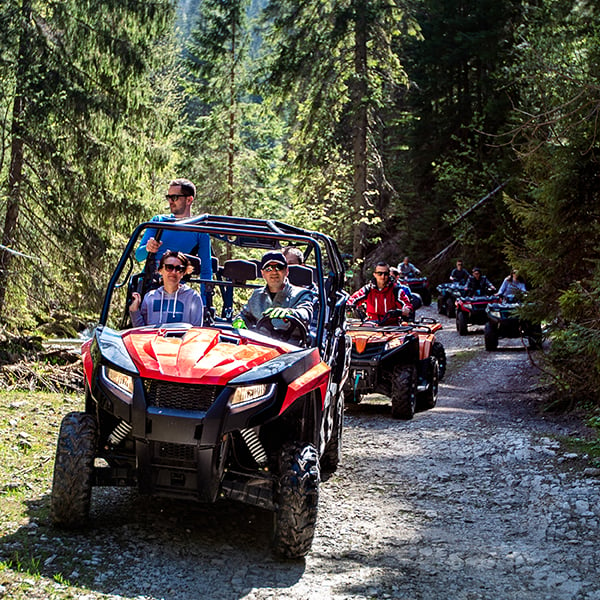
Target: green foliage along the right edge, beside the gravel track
558, 205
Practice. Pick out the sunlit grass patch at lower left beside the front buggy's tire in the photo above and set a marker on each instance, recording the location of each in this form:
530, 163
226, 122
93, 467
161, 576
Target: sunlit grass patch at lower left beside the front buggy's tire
29, 424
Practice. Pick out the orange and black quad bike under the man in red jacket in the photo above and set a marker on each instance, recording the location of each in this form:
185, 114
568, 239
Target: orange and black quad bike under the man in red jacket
404, 362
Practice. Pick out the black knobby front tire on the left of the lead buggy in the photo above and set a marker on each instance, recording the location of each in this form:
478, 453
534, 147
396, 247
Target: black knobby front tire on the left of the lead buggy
73, 470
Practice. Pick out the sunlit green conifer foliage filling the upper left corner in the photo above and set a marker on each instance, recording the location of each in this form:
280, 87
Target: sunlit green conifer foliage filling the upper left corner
87, 111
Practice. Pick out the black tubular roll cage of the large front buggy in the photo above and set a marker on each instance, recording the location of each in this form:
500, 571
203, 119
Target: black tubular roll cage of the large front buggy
246, 232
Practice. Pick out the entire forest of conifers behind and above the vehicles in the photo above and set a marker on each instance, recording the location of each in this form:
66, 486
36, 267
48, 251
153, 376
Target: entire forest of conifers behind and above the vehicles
437, 129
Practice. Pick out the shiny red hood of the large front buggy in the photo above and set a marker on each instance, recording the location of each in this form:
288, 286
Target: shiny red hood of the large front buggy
201, 355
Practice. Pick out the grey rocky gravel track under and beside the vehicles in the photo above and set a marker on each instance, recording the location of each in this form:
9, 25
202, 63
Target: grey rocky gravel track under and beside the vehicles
475, 499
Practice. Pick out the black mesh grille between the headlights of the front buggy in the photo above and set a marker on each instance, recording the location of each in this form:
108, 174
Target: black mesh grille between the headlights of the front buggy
164, 394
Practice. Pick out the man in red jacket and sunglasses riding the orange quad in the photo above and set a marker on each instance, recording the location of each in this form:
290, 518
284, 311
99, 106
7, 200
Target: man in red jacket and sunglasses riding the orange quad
382, 295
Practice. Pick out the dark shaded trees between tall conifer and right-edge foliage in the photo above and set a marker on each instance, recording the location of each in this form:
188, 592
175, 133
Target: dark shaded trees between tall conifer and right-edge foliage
456, 106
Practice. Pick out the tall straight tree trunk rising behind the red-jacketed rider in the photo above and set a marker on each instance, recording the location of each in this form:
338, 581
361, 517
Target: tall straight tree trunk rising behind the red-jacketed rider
359, 142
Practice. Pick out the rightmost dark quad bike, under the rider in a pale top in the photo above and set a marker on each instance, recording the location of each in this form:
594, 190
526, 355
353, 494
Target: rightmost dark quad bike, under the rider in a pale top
504, 321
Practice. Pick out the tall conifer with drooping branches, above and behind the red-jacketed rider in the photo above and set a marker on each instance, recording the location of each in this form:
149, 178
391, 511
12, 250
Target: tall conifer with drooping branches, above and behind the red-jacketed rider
335, 64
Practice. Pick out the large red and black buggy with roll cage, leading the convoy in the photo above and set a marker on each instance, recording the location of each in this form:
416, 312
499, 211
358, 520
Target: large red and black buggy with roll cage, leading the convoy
212, 412
